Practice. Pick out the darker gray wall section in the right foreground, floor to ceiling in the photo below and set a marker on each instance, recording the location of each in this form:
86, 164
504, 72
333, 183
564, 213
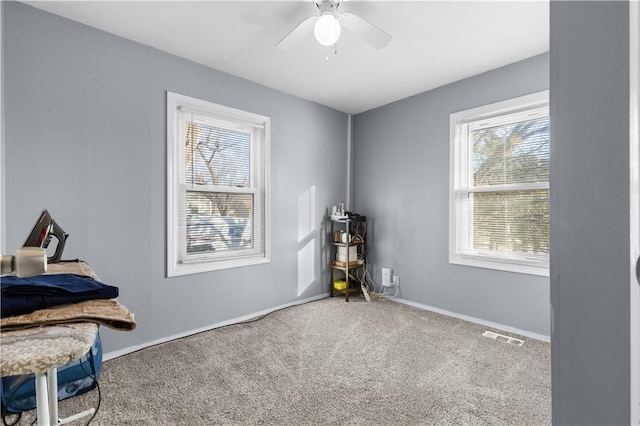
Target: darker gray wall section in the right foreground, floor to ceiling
590, 212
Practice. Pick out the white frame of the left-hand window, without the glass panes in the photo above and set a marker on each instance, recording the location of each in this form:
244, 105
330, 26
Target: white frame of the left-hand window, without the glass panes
223, 116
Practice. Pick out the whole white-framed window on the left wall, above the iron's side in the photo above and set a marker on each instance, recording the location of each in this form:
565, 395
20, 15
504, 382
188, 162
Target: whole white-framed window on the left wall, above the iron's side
217, 186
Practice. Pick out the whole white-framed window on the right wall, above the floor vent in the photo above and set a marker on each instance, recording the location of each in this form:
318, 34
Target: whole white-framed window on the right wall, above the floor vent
499, 198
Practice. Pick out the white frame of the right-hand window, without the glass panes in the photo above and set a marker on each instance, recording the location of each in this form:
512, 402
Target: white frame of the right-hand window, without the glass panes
536, 104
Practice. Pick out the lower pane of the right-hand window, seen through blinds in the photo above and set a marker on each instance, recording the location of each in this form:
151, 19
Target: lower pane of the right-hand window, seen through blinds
516, 221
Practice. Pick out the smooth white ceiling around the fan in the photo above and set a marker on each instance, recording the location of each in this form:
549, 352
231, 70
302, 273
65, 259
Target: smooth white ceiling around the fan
434, 43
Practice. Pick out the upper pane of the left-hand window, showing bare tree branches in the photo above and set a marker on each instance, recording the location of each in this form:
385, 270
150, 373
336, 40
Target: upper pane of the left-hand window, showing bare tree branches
216, 156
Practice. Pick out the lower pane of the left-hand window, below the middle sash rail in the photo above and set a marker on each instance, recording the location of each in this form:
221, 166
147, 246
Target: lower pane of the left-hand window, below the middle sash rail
219, 222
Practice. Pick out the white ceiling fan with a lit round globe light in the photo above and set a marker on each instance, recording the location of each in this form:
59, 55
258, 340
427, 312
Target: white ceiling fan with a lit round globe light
328, 24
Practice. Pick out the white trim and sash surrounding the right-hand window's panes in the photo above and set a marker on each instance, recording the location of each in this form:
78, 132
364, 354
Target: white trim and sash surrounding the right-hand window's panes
533, 266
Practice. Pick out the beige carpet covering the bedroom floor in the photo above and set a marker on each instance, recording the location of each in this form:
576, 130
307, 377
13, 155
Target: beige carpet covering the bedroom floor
329, 362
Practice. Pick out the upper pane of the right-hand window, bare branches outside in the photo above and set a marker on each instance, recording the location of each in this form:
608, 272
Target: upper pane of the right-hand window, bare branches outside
512, 153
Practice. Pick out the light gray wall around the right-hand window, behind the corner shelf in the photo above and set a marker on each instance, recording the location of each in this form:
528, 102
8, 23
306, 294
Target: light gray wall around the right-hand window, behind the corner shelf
401, 180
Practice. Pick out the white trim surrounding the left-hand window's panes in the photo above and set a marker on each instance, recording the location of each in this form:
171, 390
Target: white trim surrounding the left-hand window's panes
174, 158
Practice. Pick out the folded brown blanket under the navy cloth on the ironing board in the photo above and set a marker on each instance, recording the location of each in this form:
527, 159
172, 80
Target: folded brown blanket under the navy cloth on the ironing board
107, 312
